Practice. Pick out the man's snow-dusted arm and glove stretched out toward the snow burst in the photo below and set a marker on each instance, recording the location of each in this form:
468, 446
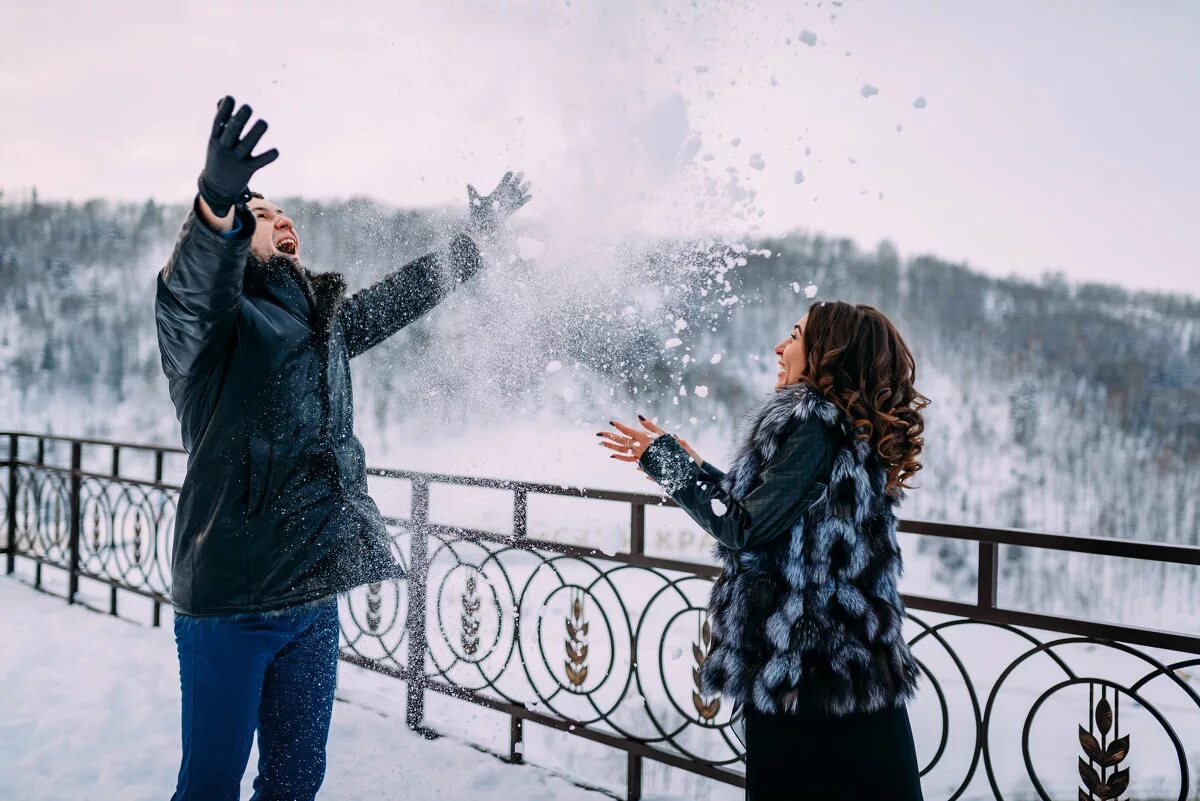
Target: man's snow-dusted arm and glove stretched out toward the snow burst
373, 315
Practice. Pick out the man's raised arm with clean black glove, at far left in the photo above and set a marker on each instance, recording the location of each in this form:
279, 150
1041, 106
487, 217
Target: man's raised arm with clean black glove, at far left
200, 290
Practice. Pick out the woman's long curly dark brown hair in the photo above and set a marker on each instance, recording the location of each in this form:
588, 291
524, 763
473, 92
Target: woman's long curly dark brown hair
857, 360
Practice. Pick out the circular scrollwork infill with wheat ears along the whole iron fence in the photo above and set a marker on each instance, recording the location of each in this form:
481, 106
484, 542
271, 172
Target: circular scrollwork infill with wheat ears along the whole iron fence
620, 648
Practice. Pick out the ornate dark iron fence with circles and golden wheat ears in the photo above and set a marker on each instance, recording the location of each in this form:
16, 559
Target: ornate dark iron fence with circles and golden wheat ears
608, 645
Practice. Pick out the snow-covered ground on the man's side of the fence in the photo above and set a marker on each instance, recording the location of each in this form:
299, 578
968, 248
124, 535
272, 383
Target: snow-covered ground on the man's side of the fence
91, 710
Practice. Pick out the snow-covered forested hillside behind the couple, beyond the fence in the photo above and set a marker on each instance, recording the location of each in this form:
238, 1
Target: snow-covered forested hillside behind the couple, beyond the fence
1058, 407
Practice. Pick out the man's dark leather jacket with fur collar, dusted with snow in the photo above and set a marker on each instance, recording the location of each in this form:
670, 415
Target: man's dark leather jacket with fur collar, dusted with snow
274, 510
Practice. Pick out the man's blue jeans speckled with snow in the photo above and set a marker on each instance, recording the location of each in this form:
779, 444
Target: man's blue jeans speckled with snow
273, 673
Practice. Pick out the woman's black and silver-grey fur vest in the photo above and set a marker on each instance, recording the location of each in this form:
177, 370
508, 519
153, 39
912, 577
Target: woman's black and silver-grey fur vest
813, 622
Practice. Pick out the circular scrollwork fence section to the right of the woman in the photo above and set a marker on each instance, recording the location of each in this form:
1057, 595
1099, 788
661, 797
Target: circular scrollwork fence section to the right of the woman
1052, 720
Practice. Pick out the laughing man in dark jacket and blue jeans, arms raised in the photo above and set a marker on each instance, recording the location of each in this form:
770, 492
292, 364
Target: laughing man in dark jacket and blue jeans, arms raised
274, 519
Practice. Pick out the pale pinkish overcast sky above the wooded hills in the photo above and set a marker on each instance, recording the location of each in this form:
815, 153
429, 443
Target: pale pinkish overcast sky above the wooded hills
1055, 136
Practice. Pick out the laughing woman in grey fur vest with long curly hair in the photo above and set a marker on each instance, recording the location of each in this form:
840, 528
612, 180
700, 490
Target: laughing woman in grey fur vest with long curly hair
807, 617
